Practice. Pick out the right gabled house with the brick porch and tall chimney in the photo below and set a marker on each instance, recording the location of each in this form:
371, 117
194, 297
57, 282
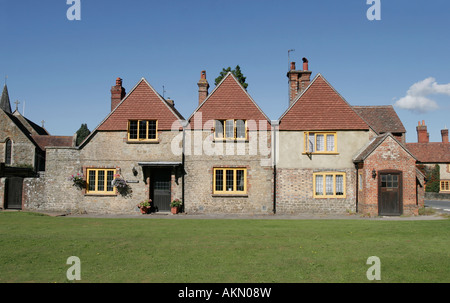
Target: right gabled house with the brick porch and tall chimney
328, 151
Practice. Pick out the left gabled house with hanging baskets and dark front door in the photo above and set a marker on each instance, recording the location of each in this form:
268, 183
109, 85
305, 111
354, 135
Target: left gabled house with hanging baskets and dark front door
133, 144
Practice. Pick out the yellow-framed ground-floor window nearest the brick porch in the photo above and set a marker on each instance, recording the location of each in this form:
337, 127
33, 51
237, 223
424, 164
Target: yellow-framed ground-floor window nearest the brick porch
329, 185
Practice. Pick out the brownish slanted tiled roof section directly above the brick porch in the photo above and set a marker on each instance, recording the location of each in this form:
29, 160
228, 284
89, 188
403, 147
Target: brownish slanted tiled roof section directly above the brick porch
382, 119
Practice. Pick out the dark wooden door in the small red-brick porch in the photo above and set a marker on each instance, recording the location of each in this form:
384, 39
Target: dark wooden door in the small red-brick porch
390, 200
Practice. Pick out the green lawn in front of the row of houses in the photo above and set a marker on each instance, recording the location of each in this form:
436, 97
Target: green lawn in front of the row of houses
35, 248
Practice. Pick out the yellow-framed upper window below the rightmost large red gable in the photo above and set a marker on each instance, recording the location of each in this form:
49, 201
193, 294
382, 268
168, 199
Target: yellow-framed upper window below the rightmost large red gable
320, 142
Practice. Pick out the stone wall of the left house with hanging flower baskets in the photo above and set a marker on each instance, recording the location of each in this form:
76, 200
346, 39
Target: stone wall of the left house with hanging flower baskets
104, 150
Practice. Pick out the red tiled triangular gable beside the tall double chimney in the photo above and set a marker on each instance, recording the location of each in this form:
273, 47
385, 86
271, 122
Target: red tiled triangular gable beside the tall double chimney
320, 107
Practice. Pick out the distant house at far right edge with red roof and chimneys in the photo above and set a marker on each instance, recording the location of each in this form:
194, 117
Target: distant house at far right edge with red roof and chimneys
430, 154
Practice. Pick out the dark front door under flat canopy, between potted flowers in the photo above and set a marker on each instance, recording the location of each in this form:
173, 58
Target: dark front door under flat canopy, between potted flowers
160, 189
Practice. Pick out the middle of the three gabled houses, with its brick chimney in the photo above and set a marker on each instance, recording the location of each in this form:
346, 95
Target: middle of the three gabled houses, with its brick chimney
228, 152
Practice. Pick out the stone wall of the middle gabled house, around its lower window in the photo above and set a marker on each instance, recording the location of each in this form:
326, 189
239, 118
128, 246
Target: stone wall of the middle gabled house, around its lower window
200, 166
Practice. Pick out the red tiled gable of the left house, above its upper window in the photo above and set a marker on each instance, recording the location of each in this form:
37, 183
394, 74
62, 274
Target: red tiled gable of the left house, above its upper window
141, 103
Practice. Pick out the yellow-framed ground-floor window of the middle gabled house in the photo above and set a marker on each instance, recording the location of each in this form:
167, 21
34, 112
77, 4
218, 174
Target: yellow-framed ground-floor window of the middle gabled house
229, 181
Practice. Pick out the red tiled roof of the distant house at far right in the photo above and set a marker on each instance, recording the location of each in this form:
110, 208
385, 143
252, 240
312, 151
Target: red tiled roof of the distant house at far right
431, 152
